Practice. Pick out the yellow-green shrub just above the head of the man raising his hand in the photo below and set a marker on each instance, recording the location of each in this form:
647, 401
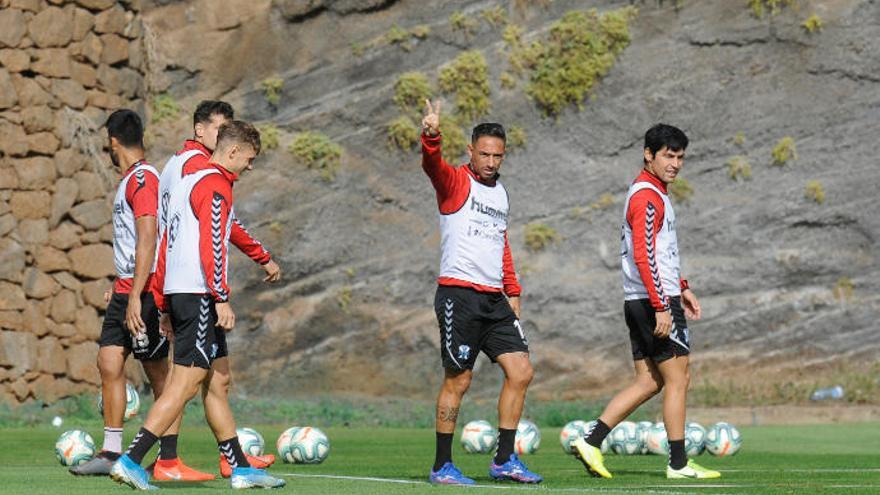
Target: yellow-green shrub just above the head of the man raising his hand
468, 77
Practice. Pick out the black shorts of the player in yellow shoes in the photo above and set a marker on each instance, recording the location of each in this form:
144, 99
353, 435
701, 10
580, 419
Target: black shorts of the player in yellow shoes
641, 320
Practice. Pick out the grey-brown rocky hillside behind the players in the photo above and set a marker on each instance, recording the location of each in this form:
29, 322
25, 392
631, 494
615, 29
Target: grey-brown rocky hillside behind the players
785, 261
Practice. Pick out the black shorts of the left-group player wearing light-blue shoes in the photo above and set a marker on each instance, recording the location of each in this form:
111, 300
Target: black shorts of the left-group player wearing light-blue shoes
198, 341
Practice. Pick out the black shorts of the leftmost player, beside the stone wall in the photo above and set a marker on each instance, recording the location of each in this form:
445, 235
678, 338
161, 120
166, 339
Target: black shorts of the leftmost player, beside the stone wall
114, 331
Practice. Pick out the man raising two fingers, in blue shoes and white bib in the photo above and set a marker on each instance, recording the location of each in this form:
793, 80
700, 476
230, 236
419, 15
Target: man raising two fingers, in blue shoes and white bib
476, 273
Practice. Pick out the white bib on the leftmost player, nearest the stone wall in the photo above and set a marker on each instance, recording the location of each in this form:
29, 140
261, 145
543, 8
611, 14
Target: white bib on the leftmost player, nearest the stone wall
124, 229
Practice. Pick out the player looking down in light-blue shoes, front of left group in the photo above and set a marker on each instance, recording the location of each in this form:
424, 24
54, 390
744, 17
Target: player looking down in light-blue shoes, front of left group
192, 269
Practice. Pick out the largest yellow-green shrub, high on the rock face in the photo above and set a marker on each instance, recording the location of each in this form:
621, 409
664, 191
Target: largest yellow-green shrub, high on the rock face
579, 49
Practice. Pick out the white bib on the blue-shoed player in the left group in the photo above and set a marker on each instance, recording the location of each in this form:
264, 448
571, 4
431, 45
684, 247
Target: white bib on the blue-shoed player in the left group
183, 267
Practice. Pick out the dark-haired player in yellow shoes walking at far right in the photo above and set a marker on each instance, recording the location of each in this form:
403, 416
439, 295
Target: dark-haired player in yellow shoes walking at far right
657, 303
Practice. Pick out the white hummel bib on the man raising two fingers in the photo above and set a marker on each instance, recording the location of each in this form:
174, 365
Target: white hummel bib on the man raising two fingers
472, 239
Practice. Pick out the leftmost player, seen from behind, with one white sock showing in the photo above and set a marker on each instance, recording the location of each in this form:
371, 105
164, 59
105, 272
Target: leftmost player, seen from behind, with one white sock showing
131, 324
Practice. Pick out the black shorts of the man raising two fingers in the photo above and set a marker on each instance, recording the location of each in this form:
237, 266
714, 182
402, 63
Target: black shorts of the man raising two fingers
471, 322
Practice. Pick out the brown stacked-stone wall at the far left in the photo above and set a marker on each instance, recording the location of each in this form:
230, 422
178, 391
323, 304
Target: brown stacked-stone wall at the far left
64, 65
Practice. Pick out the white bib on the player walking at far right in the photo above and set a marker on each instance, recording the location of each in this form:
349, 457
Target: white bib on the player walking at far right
662, 257
